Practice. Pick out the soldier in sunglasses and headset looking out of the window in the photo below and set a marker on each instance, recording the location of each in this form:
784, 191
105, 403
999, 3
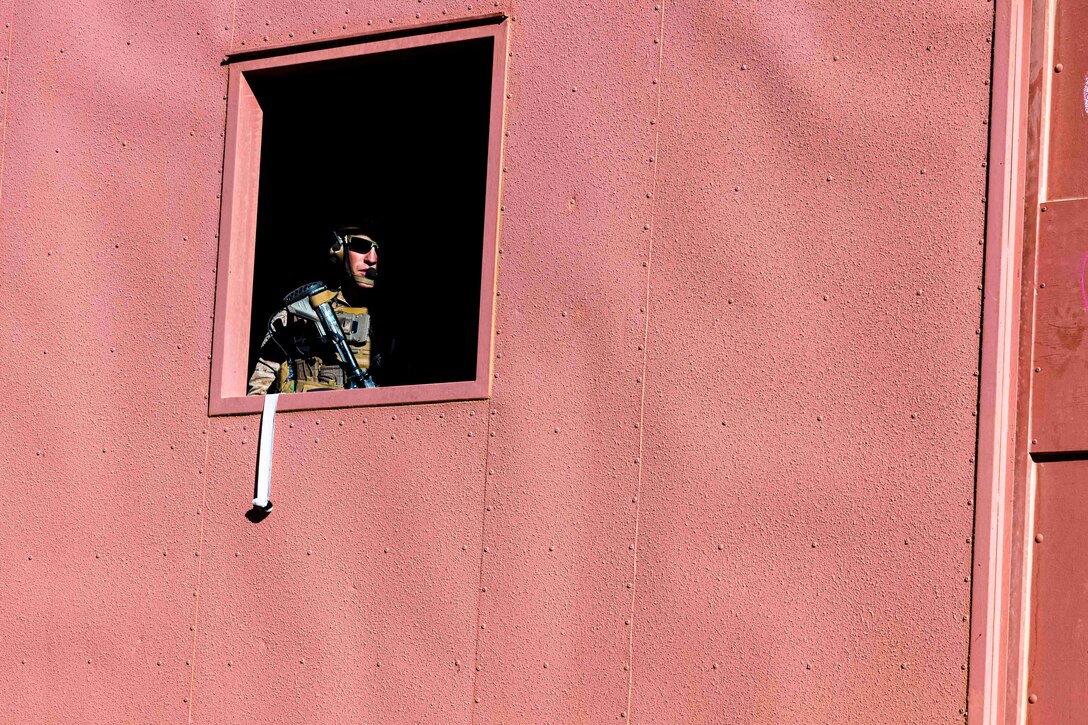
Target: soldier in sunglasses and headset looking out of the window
295, 358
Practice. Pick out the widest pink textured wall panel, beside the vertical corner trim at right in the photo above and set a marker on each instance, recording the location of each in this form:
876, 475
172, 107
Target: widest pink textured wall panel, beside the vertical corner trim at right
805, 531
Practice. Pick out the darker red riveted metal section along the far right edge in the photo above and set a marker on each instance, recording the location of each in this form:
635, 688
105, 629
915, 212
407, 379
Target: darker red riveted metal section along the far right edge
1054, 385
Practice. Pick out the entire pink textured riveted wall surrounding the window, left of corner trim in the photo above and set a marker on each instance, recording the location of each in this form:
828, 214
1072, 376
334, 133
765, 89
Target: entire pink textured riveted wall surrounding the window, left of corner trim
727, 471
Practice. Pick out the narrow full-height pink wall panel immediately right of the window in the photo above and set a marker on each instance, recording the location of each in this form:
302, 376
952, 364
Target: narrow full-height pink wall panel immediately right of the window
555, 620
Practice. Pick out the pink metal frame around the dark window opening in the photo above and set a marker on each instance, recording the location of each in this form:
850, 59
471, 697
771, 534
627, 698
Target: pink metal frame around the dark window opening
238, 230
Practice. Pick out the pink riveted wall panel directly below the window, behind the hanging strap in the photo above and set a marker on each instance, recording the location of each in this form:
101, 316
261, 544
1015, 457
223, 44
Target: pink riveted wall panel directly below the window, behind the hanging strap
356, 599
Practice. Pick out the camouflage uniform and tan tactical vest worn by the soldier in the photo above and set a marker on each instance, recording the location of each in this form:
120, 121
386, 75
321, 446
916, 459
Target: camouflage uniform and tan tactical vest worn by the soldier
294, 360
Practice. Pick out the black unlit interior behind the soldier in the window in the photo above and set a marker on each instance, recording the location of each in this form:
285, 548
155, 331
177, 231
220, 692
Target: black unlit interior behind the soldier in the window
395, 143
